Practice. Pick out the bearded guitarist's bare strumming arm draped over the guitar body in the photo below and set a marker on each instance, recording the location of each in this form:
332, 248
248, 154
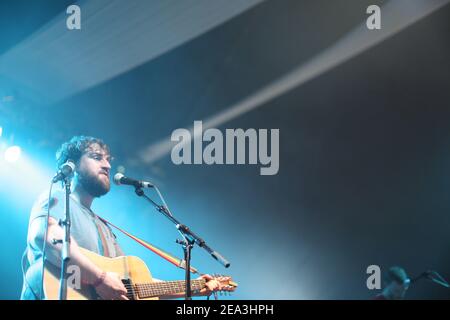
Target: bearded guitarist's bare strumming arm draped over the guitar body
108, 284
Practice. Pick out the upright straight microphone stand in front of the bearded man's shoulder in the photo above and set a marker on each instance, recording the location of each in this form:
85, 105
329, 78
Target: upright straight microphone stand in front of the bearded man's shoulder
65, 250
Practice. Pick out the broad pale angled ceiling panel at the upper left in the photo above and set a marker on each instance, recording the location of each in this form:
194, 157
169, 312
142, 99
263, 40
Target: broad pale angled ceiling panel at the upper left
115, 37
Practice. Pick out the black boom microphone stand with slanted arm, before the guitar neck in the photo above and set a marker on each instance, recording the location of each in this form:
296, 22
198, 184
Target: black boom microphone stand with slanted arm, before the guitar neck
189, 239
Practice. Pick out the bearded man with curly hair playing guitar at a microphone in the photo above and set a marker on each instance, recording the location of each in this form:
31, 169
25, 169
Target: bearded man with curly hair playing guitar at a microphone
91, 180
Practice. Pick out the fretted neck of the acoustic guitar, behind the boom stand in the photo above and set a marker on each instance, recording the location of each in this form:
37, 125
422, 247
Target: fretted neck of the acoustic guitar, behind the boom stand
157, 289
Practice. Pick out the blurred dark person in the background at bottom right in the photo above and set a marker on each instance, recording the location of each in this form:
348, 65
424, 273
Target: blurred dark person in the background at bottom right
397, 284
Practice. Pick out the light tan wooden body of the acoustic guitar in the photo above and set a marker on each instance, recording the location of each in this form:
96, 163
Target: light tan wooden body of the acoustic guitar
131, 269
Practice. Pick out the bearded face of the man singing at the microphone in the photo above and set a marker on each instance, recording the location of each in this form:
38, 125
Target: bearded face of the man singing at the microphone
93, 170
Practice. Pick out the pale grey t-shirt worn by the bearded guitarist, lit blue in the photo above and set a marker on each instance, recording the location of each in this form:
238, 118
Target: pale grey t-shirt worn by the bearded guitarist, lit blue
86, 228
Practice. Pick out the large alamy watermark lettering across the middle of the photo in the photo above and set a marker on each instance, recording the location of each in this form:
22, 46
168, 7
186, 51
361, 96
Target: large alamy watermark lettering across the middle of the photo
236, 146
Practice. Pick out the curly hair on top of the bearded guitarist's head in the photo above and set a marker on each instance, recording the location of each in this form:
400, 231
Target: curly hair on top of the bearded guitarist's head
76, 147
